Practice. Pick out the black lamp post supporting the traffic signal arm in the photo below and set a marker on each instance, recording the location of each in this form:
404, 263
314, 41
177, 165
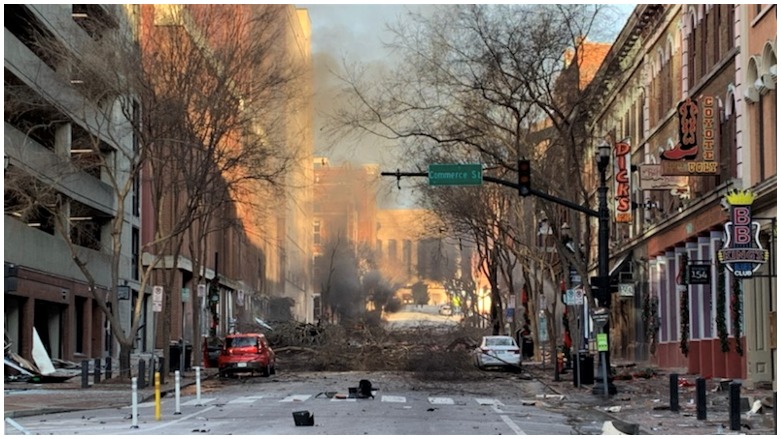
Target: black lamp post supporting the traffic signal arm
603, 281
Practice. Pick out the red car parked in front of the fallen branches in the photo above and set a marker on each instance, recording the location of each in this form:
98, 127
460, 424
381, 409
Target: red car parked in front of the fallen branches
246, 353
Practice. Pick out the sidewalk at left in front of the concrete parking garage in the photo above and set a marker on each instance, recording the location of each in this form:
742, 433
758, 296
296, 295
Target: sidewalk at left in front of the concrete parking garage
30, 399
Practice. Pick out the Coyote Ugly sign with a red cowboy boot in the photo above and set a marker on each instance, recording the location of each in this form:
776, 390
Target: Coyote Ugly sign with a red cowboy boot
696, 152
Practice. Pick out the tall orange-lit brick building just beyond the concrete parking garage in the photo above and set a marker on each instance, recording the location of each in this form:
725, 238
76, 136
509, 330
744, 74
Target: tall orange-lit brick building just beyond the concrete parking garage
255, 248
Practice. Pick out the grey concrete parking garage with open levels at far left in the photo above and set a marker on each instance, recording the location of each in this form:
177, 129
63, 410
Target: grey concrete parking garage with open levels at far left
52, 125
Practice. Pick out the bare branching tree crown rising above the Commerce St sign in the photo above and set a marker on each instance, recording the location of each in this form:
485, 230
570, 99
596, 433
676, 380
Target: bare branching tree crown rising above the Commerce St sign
490, 84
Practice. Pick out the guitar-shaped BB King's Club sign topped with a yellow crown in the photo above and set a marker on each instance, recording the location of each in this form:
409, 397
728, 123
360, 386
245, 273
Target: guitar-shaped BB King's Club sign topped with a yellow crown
742, 252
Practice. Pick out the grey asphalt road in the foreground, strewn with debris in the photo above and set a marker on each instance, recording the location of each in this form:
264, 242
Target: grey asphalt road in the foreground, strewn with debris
266, 405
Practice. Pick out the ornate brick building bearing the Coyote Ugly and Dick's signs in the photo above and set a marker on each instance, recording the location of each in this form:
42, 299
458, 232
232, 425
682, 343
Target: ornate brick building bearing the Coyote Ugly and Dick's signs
688, 101
